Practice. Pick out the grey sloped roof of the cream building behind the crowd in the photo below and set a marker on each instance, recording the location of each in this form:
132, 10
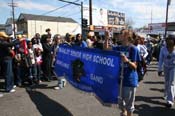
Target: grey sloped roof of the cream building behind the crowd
45, 18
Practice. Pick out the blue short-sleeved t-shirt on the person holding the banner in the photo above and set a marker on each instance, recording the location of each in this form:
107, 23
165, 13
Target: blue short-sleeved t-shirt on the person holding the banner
130, 75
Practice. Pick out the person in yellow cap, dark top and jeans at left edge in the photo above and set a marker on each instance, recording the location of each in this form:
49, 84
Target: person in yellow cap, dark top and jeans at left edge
6, 60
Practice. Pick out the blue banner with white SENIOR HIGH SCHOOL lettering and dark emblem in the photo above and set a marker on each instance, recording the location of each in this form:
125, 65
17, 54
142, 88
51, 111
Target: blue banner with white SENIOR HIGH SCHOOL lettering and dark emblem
90, 70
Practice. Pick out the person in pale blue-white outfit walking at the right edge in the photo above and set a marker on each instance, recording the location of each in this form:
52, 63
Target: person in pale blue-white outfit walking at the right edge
167, 62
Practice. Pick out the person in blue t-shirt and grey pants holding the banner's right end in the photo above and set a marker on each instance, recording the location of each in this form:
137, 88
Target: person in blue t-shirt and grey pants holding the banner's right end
130, 77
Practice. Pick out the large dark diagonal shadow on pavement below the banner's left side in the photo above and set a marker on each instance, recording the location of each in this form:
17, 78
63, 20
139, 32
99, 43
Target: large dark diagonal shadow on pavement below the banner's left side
47, 106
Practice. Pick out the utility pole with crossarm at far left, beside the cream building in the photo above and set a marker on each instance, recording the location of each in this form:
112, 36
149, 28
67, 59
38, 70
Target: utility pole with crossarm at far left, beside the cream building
13, 5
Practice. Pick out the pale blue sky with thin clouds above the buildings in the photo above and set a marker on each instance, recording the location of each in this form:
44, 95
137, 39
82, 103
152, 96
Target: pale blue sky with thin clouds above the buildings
139, 11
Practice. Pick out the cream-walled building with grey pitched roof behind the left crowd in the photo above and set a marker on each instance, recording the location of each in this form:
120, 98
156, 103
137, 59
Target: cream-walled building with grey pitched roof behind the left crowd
30, 24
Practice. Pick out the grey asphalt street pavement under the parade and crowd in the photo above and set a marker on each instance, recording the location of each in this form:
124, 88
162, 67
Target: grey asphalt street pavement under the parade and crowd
45, 101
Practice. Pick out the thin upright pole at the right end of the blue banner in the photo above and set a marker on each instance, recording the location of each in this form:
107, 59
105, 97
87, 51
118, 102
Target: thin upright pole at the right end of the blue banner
121, 84
